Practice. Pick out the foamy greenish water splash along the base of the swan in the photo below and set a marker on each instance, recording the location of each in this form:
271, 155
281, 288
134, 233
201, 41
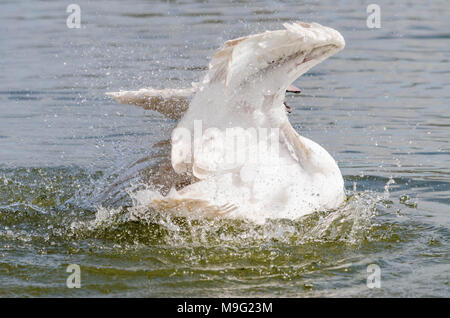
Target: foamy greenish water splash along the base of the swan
140, 223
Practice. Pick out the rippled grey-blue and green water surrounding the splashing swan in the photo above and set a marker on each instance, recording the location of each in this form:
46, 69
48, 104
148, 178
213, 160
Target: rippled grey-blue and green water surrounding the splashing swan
381, 107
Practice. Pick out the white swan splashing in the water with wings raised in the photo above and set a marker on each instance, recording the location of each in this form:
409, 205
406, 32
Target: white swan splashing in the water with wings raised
234, 137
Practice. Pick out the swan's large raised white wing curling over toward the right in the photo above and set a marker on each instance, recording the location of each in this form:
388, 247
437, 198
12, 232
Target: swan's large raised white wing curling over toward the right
245, 88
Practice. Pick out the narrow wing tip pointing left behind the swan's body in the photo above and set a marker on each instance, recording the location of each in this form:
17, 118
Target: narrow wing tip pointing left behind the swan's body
172, 103
